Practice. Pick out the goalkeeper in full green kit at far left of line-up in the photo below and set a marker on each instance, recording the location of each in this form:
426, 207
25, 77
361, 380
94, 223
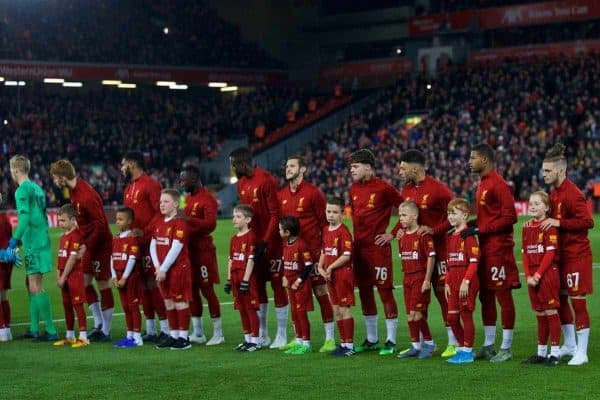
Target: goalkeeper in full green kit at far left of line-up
32, 234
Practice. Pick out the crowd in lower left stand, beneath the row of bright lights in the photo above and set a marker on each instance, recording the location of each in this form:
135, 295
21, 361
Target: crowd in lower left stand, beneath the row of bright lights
94, 127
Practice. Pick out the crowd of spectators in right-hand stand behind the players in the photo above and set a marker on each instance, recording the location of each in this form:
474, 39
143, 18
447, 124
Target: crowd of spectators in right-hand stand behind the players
521, 109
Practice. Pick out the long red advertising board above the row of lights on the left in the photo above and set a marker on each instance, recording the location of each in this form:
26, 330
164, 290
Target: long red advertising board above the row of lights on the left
137, 73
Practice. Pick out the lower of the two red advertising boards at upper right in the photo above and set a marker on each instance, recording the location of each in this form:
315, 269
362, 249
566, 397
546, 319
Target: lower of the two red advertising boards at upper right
568, 49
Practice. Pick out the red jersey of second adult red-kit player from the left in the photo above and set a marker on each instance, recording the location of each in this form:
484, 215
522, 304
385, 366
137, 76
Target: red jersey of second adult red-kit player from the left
142, 195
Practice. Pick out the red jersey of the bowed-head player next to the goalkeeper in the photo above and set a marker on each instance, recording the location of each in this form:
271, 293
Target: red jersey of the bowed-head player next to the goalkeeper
90, 215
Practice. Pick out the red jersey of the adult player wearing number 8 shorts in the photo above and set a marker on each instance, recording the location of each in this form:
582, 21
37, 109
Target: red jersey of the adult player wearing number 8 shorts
201, 210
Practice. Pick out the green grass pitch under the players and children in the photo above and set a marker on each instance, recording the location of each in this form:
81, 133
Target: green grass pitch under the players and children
38, 370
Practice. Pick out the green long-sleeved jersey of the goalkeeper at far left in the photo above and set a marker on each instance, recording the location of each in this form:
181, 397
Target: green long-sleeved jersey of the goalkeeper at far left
32, 228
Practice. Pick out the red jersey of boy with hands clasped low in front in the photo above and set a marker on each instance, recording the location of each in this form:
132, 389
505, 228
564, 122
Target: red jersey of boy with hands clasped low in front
165, 233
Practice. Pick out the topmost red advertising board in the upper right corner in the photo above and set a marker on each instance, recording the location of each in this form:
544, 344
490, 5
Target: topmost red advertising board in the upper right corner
538, 13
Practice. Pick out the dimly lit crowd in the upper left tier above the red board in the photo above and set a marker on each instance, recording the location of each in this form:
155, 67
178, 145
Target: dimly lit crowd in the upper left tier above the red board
152, 32
